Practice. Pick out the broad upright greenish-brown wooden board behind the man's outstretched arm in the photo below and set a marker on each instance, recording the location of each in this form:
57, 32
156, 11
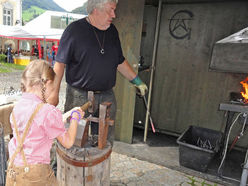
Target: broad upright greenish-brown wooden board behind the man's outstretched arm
129, 24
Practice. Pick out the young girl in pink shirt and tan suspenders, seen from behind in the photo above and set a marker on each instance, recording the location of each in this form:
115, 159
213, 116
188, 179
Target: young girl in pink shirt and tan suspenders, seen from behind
35, 125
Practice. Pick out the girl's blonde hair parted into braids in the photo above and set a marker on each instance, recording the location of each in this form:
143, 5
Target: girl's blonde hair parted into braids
37, 72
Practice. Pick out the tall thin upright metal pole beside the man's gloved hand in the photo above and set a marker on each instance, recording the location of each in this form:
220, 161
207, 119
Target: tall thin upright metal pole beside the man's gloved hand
153, 66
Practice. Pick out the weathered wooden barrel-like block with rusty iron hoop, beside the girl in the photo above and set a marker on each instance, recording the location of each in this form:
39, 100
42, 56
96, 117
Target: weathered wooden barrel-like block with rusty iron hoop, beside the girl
83, 166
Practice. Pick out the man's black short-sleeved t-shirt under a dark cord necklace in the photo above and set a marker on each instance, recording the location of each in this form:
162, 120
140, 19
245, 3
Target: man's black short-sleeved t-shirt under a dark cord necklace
86, 67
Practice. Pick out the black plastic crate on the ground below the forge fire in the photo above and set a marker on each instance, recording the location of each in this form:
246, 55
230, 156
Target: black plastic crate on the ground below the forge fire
197, 147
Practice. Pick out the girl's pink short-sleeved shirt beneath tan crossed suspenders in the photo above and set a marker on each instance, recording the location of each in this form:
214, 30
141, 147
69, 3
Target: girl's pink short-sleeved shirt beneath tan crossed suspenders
46, 126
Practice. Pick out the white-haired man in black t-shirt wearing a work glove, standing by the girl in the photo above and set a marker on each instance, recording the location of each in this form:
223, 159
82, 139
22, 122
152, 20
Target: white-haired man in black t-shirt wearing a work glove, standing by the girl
91, 52
